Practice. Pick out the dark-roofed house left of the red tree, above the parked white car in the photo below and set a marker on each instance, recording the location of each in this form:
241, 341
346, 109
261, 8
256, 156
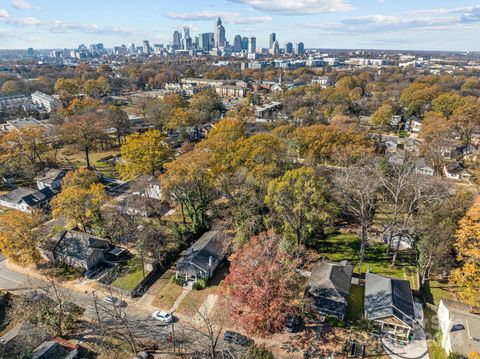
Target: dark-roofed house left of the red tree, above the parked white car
203, 257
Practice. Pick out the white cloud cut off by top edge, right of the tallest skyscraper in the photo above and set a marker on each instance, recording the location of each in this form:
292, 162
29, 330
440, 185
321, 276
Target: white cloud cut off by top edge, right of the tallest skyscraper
298, 7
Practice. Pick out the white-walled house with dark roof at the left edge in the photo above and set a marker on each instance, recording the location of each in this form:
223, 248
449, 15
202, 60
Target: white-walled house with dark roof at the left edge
27, 199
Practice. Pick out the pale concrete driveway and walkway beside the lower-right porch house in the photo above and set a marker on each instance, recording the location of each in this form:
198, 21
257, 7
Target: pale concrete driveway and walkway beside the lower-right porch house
417, 349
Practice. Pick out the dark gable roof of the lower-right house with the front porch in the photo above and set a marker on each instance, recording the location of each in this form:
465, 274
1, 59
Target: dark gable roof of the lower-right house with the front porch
385, 297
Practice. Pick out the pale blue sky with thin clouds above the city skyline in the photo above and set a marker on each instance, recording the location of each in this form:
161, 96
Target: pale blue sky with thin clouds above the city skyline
383, 24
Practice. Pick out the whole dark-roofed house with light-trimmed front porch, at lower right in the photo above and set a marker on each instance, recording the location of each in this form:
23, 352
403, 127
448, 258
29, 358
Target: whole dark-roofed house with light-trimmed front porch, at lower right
389, 304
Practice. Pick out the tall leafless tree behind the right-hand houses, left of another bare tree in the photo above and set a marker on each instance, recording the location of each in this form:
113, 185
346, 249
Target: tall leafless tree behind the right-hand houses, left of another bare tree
356, 188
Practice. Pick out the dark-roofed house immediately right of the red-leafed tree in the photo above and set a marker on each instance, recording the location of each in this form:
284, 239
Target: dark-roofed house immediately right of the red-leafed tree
328, 289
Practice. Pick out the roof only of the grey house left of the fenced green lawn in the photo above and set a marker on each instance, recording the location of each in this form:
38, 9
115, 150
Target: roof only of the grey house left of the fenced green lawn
80, 245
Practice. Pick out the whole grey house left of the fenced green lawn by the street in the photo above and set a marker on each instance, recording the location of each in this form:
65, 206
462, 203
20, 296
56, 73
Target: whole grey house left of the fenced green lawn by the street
80, 250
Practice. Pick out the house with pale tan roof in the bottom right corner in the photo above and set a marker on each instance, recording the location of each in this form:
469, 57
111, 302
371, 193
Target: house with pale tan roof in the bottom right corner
460, 326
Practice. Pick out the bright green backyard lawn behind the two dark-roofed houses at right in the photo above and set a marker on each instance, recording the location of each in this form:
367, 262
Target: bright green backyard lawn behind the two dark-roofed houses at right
338, 247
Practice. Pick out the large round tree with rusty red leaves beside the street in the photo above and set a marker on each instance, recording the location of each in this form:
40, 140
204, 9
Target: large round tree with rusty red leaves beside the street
262, 286
